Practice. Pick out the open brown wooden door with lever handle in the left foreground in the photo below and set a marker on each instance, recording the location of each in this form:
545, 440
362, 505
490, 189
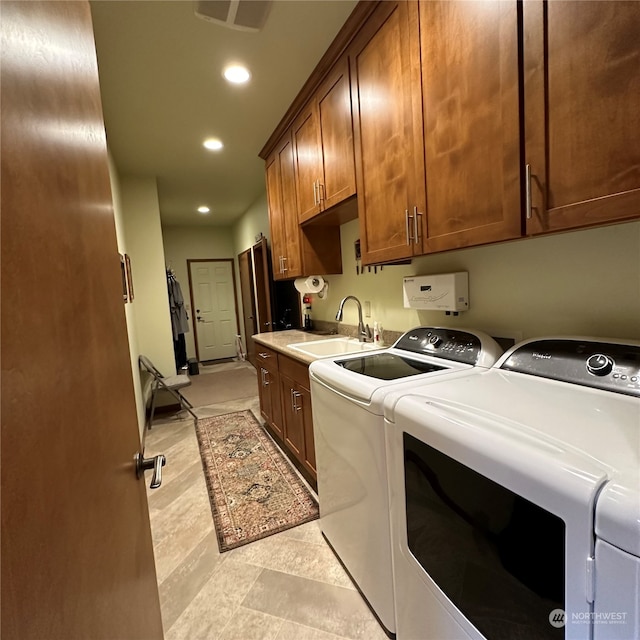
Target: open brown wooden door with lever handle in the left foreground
77, 558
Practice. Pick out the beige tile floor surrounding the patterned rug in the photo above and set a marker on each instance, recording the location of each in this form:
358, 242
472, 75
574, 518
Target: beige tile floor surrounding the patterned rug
288, 586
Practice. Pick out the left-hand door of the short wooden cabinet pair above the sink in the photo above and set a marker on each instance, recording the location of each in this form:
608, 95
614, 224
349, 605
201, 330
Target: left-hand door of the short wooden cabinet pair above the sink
308, 164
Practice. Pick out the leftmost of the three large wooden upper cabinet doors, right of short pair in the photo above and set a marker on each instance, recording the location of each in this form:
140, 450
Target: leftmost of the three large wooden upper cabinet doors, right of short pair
385, 90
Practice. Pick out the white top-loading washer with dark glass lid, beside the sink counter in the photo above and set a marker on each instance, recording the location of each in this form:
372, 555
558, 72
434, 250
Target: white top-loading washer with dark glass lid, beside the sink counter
347, 399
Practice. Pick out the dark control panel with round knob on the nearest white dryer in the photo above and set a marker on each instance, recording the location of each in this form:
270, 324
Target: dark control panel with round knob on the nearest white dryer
604, 365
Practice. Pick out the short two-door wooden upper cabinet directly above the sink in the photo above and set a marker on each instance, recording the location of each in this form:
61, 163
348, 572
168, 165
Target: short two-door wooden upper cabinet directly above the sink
323, 146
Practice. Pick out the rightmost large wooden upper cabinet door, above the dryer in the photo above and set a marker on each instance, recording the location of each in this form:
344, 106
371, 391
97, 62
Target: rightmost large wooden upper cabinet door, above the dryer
582, 112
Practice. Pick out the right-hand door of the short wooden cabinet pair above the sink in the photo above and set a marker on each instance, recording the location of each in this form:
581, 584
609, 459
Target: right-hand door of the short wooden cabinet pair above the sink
336, 137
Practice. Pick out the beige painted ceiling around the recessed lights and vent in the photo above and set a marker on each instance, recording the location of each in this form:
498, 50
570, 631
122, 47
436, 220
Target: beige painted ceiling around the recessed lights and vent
163, 93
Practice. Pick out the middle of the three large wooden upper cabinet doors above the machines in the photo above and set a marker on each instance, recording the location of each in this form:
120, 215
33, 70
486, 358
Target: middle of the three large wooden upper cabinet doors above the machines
471, 117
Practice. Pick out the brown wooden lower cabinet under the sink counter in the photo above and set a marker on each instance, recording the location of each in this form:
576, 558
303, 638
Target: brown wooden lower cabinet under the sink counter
285, 404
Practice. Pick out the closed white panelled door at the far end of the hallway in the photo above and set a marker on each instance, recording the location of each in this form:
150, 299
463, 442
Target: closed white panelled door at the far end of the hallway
213, 299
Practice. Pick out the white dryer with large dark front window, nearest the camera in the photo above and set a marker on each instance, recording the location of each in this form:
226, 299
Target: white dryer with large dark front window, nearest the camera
515, 497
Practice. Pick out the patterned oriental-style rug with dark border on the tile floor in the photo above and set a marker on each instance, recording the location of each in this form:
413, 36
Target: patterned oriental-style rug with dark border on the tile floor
253, 491
